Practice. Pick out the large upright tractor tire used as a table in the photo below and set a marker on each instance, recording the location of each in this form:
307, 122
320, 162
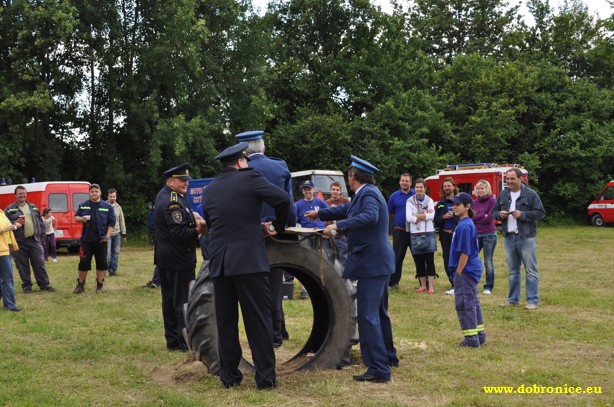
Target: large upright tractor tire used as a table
318, 269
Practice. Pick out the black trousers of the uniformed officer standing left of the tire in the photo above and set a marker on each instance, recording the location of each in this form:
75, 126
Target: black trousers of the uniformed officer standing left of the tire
175, 287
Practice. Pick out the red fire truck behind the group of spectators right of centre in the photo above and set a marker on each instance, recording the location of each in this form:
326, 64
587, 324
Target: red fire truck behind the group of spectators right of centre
467, 175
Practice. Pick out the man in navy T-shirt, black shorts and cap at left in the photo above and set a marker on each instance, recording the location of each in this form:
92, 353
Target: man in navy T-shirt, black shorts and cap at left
98, 219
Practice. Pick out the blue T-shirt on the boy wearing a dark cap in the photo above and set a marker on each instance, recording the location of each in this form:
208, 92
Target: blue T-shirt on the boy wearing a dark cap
465, 240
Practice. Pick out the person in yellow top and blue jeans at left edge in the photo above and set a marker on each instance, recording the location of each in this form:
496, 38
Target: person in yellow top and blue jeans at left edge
8, 244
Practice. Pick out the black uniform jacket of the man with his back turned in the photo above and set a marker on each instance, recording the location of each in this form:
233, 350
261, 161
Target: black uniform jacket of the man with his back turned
232, 207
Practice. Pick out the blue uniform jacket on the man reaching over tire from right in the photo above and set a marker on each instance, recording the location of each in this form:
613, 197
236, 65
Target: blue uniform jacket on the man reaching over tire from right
365, 221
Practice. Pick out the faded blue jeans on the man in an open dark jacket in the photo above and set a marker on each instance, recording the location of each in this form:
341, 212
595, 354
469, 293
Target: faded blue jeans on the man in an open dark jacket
519, 249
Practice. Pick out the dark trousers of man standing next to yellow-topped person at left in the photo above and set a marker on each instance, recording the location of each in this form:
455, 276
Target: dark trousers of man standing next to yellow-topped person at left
31, 252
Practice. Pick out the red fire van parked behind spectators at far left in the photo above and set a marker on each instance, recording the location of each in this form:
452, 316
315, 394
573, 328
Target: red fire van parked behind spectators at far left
63, 197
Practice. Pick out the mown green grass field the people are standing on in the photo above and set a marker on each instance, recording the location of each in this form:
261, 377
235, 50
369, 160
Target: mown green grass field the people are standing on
109, 349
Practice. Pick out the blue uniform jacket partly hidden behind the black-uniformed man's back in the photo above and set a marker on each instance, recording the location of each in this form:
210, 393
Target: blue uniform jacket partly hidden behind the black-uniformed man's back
276, 171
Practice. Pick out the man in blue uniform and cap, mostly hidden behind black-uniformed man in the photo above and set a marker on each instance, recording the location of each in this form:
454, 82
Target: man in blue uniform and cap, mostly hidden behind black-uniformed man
276, 171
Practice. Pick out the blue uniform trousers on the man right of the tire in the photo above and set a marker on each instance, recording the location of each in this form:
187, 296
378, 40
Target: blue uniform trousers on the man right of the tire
374, 327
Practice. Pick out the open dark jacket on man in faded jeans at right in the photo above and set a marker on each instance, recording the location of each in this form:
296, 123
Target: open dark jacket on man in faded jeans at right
530, 206
